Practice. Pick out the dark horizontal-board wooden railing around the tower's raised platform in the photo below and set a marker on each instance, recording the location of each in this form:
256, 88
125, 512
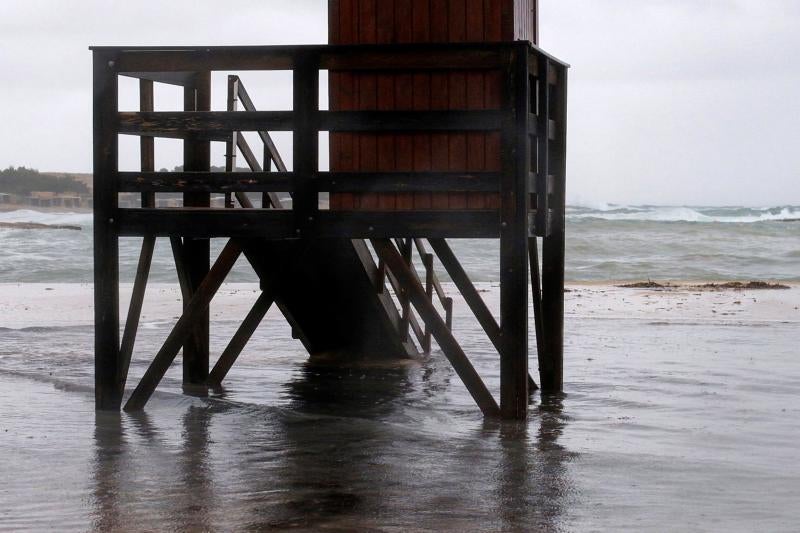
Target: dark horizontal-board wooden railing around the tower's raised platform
531, 123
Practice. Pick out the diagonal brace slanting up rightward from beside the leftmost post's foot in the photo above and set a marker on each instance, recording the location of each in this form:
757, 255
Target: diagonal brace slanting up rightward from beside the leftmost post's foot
196, 310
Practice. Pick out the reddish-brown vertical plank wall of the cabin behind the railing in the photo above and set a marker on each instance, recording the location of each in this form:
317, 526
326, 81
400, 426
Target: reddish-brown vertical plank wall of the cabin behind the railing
420, 21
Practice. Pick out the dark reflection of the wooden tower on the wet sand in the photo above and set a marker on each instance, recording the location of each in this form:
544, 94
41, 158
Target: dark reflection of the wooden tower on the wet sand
350, 452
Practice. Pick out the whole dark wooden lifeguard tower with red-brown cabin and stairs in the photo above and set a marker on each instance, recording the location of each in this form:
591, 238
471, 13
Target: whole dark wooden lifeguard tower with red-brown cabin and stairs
446, 121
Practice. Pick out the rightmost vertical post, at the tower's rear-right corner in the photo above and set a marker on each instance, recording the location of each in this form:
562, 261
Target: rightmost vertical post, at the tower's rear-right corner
551, 362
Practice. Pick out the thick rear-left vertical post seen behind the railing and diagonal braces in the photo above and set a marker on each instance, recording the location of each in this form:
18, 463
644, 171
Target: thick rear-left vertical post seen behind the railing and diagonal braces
197, 156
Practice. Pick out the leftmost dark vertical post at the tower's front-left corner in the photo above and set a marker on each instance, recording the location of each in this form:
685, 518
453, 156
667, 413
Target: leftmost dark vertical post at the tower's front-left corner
107, 363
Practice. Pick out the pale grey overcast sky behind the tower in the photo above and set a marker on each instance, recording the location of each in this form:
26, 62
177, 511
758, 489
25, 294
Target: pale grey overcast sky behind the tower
670, 101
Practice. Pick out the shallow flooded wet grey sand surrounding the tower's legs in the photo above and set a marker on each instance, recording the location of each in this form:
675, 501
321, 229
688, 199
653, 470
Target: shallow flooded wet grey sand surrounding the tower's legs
680, 414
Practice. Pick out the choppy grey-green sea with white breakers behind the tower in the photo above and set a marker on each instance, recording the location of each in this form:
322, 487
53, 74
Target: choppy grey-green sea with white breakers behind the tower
605, 242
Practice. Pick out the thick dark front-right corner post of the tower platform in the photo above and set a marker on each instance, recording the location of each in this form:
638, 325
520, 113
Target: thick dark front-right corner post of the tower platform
514, 243
